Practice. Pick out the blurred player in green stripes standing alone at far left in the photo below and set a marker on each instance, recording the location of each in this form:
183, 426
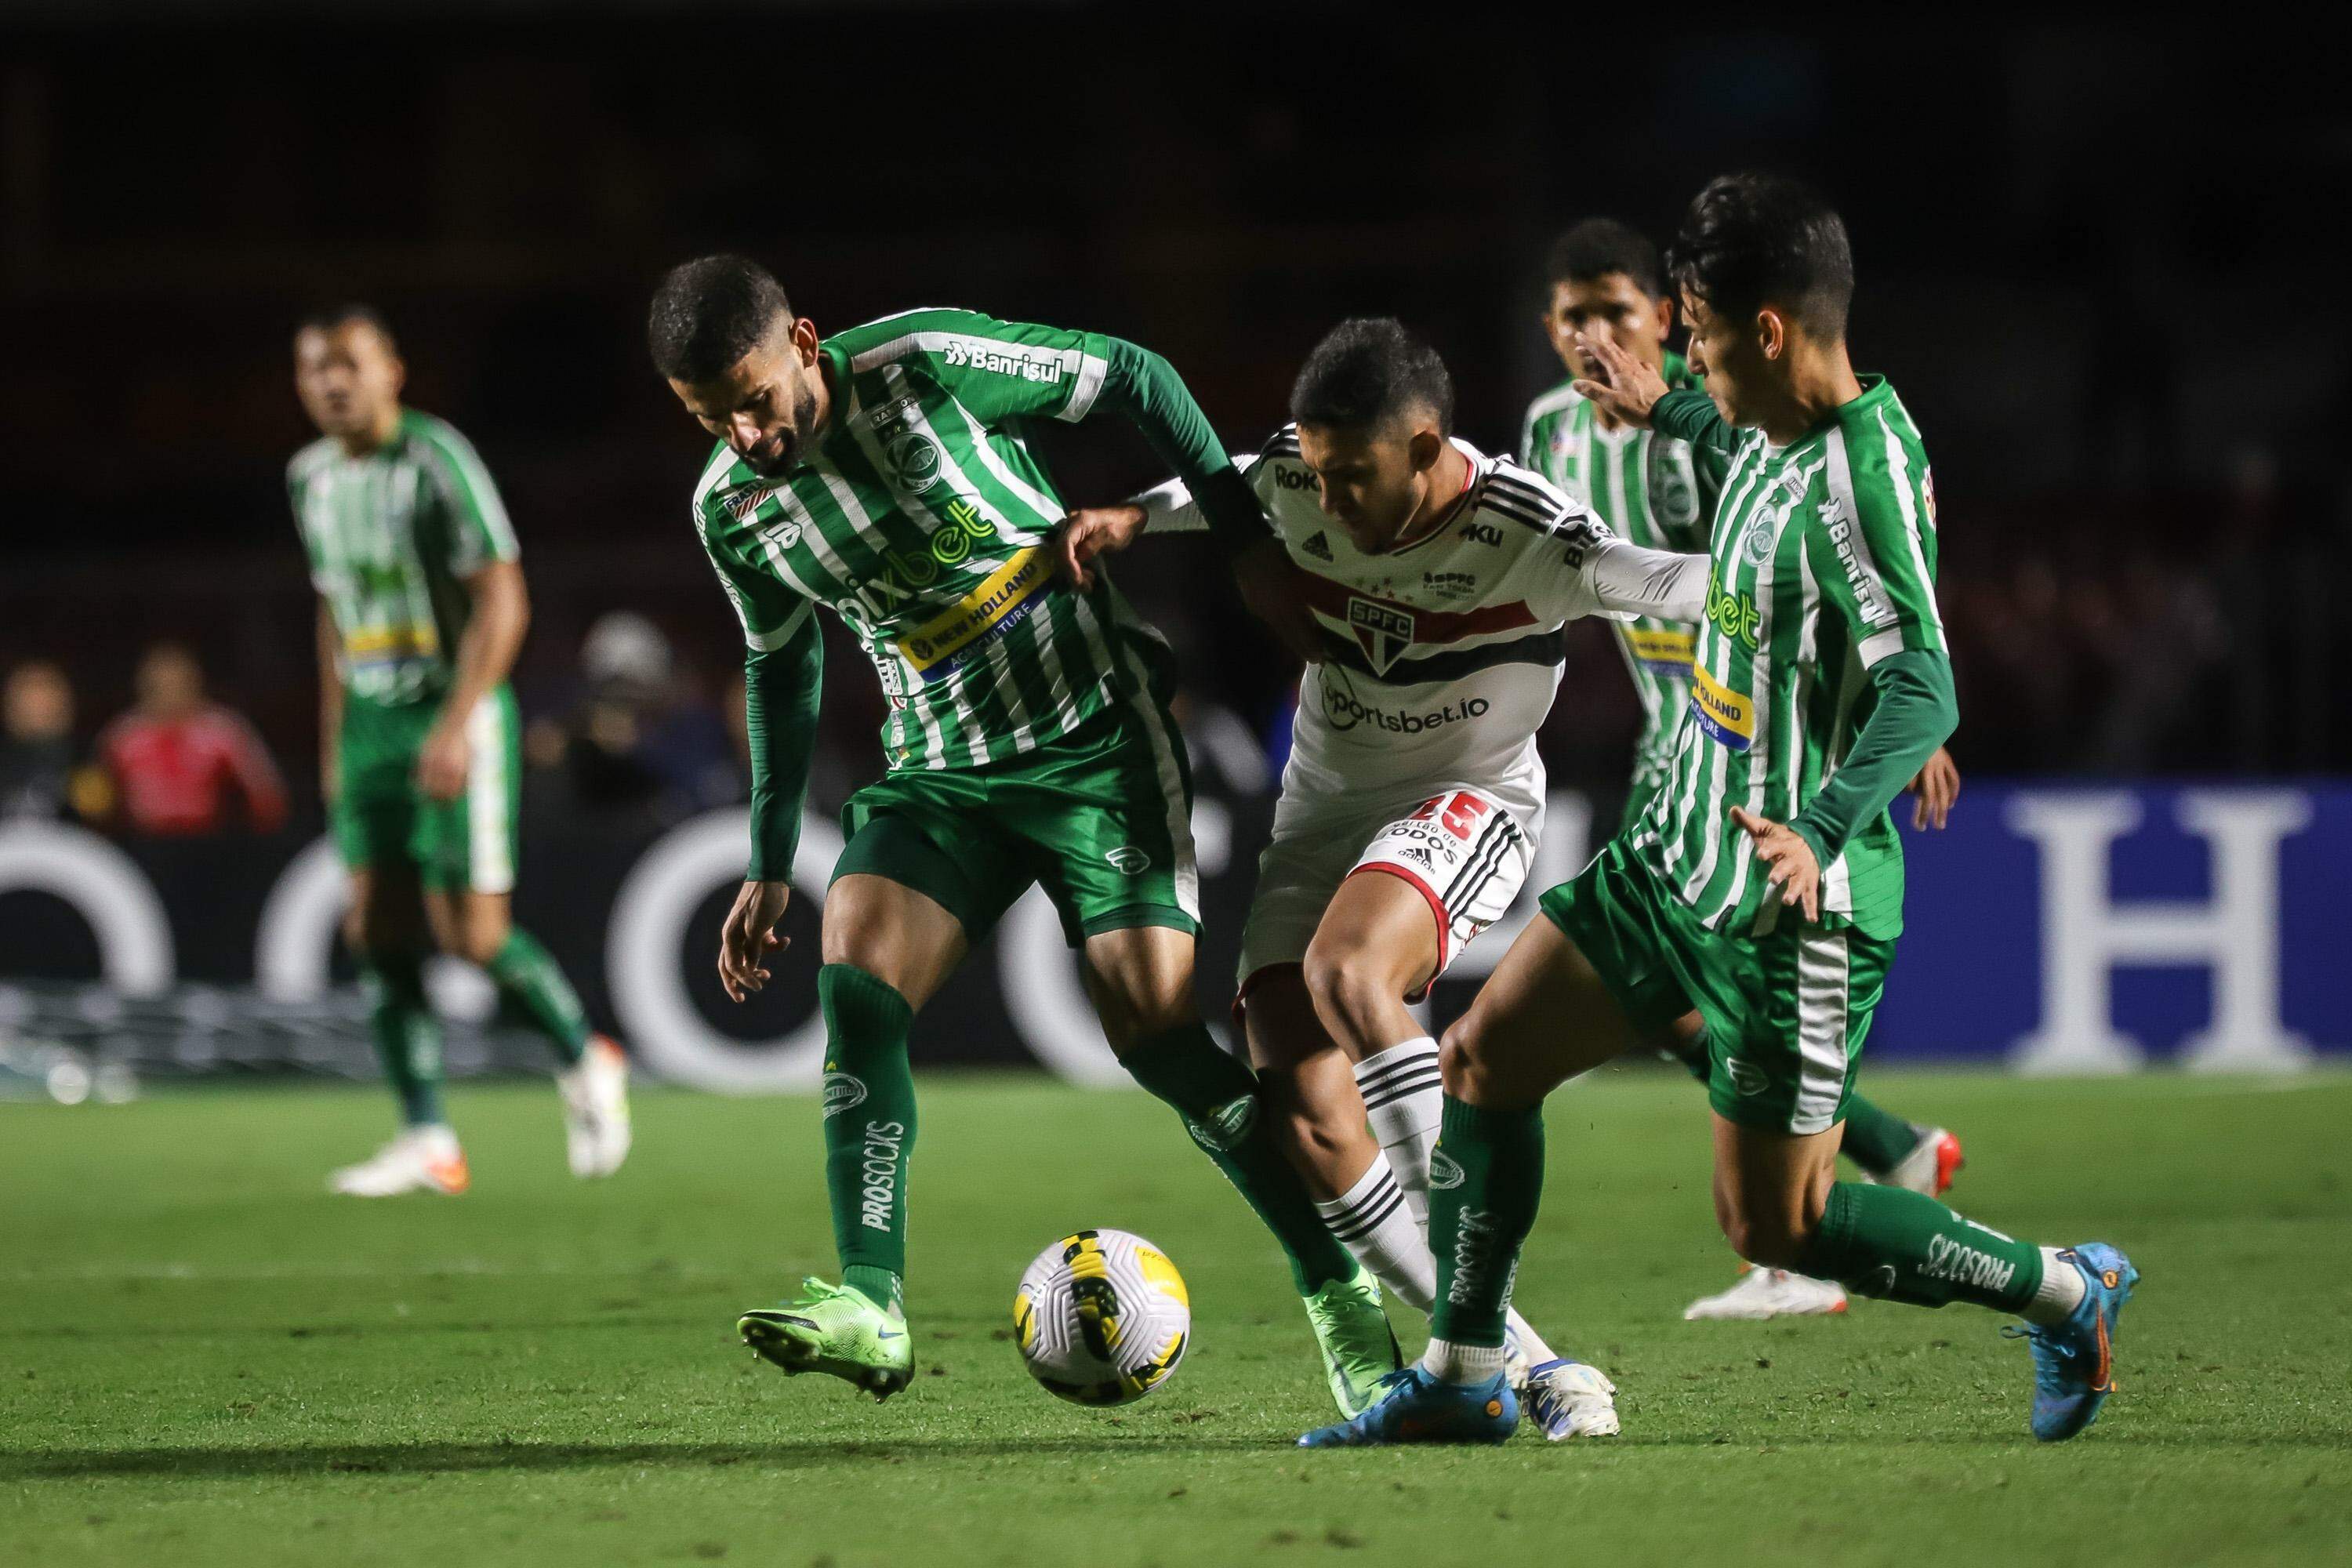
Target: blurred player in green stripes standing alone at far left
420, 615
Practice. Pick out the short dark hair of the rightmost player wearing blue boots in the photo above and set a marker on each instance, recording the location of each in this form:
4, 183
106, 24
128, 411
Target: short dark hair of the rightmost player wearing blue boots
1758, 241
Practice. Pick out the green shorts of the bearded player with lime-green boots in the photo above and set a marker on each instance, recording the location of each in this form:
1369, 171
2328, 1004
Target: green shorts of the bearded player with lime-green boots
1102, 819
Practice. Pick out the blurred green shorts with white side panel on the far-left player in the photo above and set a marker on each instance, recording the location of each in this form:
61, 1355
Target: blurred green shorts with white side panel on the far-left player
382, 817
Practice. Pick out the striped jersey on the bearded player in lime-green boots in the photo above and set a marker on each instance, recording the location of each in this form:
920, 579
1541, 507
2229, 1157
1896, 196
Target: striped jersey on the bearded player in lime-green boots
921, 516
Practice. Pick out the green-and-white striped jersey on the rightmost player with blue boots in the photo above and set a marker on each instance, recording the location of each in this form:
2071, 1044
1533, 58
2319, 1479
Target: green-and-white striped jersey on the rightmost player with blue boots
1822, 565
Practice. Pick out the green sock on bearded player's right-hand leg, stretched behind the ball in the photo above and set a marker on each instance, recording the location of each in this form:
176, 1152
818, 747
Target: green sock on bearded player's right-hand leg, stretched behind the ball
1220, 1104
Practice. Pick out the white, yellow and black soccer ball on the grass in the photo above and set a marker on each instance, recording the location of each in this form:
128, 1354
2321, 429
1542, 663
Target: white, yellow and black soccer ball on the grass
1102, 1318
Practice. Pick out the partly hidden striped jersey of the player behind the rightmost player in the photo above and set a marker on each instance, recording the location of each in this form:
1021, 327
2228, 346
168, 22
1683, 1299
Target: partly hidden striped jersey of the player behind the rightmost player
1652, 490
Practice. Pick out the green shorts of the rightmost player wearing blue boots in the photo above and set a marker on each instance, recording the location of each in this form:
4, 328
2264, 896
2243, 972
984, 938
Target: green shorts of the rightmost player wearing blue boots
1786, 1012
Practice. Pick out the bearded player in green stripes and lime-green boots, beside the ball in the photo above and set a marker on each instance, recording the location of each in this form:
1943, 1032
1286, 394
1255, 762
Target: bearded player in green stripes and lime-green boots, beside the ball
888, 476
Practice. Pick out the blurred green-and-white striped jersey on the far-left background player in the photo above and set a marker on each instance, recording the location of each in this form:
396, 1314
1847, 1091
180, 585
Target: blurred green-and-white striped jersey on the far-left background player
394, 537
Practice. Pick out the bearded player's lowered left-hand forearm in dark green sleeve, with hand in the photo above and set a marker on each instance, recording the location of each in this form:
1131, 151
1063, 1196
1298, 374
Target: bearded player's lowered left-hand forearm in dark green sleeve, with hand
782, 692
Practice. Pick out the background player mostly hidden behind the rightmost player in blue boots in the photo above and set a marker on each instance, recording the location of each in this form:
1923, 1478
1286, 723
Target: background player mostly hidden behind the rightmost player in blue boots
1608, 286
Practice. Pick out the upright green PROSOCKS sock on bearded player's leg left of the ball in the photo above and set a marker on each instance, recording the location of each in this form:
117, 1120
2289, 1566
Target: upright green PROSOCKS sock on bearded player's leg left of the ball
869, 1127
